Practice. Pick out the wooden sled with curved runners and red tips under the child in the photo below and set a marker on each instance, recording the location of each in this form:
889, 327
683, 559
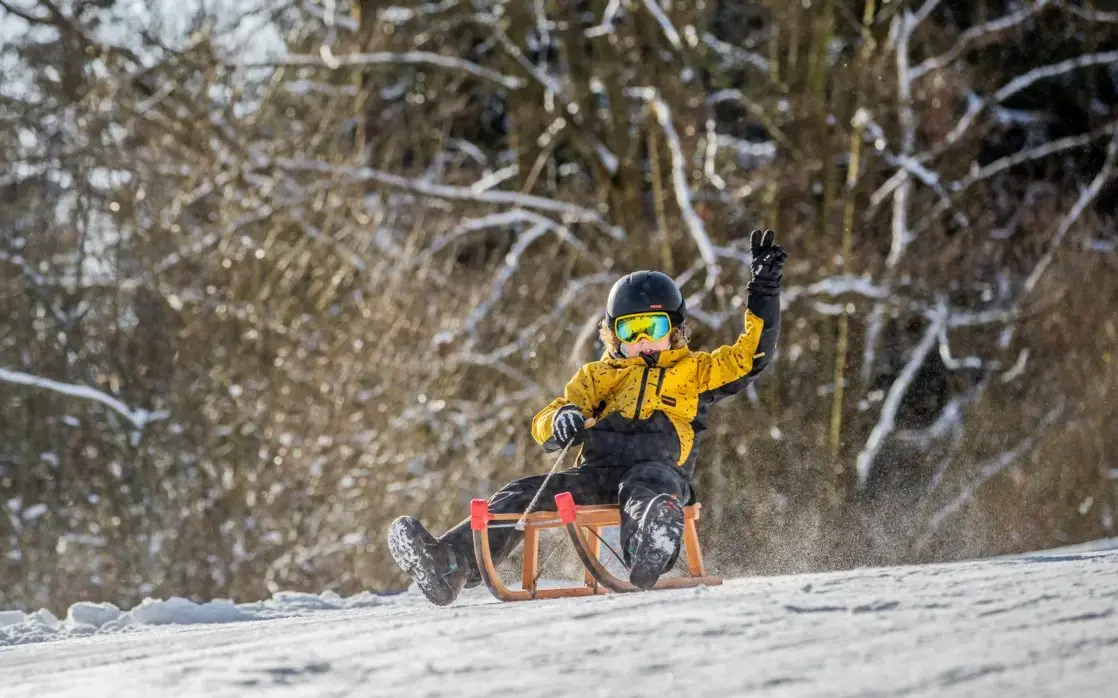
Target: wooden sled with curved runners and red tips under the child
584, 527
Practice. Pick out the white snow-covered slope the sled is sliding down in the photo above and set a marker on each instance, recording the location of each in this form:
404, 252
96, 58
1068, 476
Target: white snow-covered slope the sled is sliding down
1037, 626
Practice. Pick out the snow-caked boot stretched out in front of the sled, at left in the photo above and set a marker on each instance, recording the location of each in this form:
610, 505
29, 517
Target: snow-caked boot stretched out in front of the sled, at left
431, 563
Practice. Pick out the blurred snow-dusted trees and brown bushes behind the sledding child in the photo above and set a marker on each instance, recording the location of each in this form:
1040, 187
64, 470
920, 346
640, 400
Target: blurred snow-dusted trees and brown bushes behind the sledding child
272, 273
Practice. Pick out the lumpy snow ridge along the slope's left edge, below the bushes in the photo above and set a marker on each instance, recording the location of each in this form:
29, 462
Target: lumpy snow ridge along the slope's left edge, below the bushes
92, 619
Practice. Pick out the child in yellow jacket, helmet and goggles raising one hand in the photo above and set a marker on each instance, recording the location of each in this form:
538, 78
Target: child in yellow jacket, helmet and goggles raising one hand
649, 397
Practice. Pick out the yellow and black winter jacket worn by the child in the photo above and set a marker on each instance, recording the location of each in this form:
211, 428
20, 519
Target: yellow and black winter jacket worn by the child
652, 410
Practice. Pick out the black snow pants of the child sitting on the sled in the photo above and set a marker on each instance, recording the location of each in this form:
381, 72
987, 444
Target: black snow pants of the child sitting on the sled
632, 488
